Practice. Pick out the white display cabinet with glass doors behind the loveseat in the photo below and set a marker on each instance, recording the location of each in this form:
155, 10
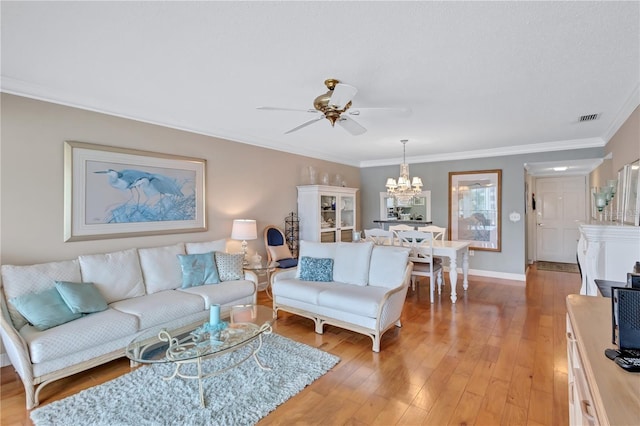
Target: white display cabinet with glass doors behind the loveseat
327, 213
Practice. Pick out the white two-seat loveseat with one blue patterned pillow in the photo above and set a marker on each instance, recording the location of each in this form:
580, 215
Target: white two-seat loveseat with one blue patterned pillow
364, 292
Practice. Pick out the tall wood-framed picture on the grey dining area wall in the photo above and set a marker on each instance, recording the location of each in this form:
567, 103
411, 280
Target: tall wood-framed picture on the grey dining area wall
475, 208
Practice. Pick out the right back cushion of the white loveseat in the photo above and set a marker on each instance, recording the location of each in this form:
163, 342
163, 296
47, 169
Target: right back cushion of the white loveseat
387, 266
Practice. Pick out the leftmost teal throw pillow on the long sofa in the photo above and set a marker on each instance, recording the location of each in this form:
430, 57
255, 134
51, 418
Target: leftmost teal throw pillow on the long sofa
45, 309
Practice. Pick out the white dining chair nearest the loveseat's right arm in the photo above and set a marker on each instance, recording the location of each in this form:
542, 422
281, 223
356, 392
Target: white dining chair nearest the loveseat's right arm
421, 245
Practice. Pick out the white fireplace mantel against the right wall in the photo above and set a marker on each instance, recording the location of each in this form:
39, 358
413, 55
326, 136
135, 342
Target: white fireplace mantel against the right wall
606, 251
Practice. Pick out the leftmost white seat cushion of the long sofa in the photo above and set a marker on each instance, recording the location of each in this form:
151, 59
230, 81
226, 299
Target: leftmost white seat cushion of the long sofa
78, 335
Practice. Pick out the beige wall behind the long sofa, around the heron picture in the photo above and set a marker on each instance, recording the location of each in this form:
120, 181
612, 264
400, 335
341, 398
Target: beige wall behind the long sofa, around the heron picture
242, 181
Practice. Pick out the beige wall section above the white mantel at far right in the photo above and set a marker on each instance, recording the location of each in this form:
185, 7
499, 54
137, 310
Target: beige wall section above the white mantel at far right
624, 148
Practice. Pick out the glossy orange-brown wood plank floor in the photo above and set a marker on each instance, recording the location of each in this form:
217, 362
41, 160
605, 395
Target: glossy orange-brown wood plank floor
498, 356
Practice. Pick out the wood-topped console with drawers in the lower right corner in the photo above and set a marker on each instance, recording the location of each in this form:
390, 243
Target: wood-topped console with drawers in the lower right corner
600, 392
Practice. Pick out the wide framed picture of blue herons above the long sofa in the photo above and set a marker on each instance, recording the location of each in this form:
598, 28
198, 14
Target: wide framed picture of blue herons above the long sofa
114, 192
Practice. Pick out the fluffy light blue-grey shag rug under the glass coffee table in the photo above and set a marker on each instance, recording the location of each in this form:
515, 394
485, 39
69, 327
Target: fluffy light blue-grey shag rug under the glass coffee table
241, 396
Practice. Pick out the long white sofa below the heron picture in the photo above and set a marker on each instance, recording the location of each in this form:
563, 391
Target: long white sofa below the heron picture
143, 292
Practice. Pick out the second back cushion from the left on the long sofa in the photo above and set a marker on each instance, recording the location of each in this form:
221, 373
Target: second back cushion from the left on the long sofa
117, 275
